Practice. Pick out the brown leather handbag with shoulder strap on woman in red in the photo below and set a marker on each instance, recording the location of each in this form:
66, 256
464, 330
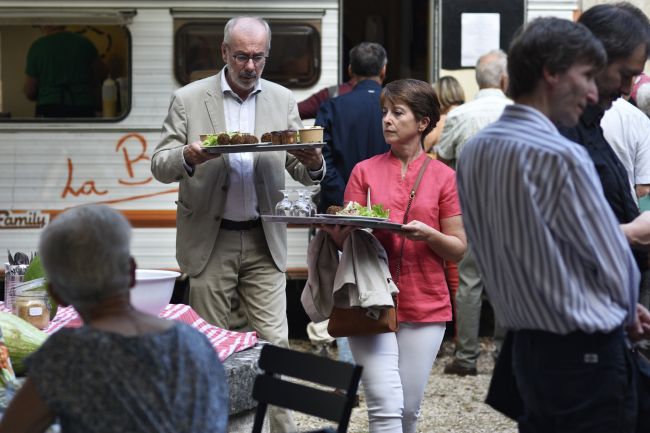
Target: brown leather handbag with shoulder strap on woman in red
355, 321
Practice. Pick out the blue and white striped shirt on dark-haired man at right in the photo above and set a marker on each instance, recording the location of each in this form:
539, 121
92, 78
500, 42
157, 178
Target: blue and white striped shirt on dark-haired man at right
550, 250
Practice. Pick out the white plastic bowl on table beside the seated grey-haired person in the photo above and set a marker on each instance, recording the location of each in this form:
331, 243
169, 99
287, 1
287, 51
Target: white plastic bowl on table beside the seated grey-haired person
153, 290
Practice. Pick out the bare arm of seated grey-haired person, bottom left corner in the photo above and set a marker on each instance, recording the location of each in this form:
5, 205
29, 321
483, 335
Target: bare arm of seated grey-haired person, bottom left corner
27, 412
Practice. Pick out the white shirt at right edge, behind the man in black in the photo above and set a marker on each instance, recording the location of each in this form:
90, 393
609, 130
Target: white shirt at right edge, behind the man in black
627, 130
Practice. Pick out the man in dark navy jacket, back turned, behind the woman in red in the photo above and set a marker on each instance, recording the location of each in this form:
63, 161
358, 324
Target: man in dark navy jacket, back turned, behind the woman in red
353, 122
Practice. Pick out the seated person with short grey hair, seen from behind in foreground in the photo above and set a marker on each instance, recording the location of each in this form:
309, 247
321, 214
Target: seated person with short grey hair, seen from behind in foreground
123, 371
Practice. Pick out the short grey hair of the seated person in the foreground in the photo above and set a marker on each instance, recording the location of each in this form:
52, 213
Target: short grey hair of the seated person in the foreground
86, 254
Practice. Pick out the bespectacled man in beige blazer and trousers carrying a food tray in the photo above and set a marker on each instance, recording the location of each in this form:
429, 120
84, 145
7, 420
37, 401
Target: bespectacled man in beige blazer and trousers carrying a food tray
221, 243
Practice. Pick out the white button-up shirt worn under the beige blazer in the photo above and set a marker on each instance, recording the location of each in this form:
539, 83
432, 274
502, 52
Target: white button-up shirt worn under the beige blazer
241, 198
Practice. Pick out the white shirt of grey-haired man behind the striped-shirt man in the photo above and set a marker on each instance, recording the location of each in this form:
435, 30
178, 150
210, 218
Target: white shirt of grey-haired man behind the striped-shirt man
464, 121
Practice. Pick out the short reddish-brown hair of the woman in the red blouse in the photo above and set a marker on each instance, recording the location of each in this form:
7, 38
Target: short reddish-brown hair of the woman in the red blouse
418, 96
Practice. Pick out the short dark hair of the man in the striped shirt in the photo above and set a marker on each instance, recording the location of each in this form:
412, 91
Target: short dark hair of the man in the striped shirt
551, 44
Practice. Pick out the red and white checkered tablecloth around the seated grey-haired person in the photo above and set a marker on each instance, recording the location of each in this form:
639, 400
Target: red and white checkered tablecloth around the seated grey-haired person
225, 342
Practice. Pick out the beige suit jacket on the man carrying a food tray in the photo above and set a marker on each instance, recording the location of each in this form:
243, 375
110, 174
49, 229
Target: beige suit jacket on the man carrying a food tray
198, 109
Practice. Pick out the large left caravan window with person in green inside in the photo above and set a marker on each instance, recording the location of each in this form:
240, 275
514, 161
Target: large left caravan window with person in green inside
55, 71
